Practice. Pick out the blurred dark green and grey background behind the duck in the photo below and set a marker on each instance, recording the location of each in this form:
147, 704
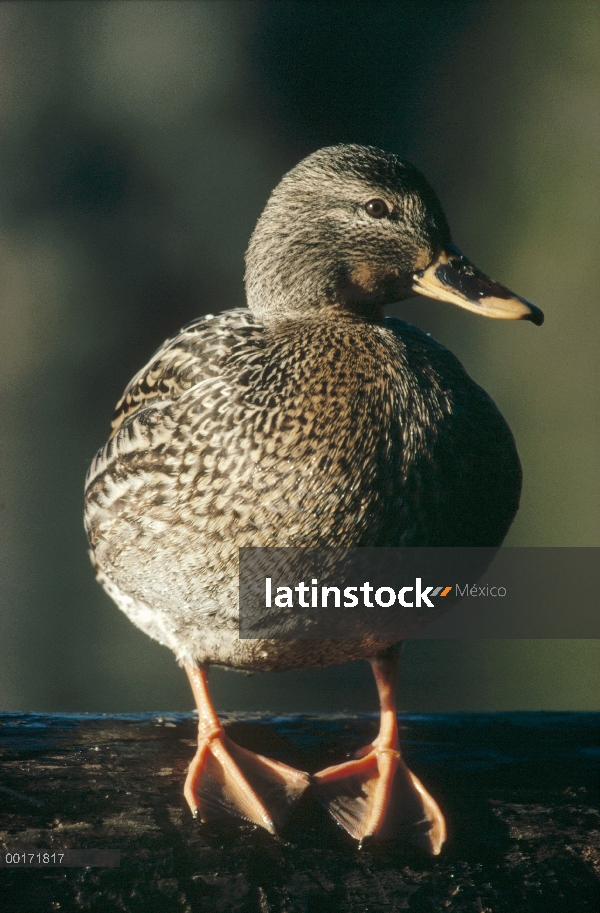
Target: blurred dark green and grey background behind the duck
139, 143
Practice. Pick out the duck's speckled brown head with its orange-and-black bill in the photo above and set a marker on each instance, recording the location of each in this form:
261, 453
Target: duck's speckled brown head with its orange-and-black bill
352, 229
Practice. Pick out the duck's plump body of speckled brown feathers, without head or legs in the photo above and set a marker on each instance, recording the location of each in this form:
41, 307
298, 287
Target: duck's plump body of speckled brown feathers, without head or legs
309, 433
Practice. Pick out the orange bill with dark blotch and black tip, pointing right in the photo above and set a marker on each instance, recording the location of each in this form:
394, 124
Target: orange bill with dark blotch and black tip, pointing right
451, 277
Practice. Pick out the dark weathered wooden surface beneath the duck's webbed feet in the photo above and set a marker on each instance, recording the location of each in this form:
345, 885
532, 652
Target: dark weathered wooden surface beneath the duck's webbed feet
520, 792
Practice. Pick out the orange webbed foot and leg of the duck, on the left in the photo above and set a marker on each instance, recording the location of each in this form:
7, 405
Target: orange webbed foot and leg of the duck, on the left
226, 780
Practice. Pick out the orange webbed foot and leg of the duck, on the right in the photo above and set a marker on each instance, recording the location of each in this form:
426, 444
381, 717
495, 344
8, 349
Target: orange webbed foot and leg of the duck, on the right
375, 794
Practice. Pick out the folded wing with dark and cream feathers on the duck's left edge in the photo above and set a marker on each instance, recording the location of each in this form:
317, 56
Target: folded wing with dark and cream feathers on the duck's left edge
140, 465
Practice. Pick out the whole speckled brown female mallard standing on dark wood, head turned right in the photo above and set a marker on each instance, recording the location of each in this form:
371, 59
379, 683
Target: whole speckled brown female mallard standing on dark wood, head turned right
308, 419
